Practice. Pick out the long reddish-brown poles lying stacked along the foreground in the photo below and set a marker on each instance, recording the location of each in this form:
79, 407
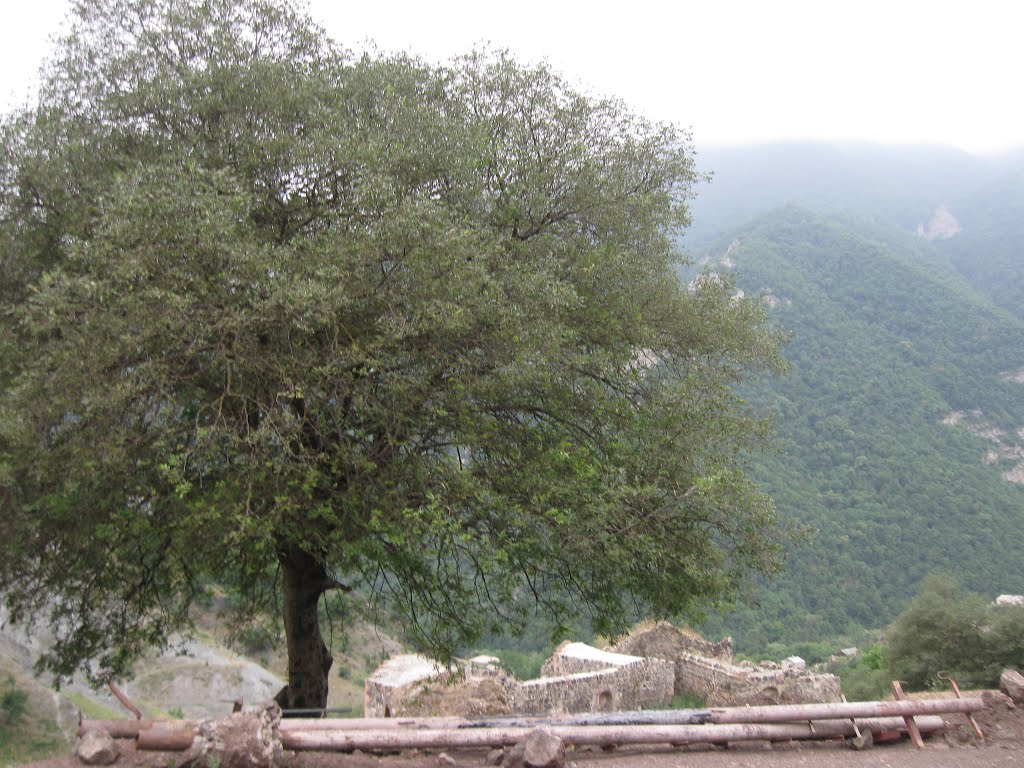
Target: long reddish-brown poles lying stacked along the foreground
781, 723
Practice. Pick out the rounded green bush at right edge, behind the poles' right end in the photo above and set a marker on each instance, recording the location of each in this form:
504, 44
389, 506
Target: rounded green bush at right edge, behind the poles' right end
947, 631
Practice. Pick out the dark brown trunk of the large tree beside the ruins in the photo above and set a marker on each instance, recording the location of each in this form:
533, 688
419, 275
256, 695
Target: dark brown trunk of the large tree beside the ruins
309, 658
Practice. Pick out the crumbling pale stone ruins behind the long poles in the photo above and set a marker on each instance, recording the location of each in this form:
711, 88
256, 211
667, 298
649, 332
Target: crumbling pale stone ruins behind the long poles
645, 670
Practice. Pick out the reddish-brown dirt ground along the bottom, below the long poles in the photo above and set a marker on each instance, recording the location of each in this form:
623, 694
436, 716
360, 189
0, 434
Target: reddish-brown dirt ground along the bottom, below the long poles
1002, 724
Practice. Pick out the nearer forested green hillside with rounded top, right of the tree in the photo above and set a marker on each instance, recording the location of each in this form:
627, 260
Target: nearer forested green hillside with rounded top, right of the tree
888, 344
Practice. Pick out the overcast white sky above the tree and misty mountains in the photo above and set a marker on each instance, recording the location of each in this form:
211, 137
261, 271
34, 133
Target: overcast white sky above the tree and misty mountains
735, 71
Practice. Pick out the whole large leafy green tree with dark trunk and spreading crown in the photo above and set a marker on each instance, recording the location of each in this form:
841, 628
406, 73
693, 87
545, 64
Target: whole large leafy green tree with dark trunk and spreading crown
293, 321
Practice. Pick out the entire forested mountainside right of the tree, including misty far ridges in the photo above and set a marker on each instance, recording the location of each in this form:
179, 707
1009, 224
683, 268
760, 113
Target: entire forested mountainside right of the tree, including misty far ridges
901, 274
